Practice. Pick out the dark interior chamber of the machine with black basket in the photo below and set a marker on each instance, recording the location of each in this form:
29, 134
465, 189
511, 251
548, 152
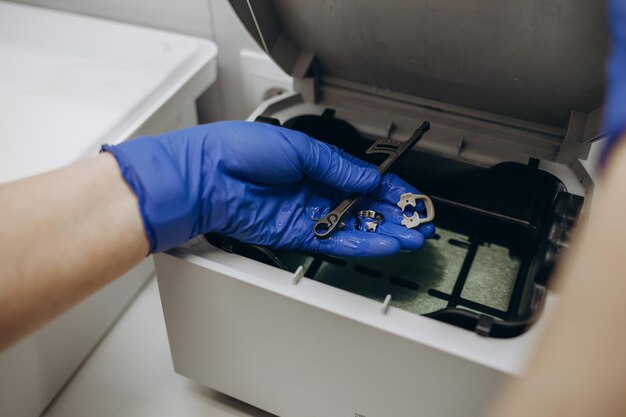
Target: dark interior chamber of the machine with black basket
499, 232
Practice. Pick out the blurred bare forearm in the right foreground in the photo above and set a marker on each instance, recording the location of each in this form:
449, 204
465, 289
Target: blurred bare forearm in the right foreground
580, 368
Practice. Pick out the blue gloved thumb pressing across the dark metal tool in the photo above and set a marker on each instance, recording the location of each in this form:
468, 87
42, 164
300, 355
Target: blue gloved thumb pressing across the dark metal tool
328, 165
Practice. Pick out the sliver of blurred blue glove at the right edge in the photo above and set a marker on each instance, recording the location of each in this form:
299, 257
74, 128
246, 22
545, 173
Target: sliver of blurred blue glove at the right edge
615, 103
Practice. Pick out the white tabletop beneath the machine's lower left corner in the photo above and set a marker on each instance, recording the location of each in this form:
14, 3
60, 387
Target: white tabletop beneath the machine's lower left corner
131, 374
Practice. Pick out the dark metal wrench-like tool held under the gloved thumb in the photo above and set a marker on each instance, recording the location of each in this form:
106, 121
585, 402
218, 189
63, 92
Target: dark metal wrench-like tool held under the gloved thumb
395, 150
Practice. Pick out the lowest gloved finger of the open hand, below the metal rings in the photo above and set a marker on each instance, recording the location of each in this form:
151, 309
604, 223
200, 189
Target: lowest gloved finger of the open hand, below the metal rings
356, 244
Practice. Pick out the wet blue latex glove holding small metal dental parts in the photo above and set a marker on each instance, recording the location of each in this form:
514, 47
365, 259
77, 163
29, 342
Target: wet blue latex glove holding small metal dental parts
259, 184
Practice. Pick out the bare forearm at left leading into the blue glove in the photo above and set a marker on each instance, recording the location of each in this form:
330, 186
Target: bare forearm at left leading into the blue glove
64, 235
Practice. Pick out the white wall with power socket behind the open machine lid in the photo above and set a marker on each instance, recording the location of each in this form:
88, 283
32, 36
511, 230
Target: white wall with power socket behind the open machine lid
213, 19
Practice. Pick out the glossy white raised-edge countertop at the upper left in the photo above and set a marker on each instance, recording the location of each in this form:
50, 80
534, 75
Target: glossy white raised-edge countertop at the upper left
69, 83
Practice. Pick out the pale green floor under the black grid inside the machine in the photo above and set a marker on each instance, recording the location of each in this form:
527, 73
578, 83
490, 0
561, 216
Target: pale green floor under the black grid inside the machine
408, 276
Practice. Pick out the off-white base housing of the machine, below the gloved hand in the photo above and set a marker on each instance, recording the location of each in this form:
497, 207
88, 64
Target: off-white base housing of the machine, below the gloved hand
298, 347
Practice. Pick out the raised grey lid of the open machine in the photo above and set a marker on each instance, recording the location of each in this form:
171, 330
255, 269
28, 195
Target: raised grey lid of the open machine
535, 60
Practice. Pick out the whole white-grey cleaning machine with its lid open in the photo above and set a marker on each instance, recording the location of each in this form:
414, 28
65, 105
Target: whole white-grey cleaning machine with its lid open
512, 91
